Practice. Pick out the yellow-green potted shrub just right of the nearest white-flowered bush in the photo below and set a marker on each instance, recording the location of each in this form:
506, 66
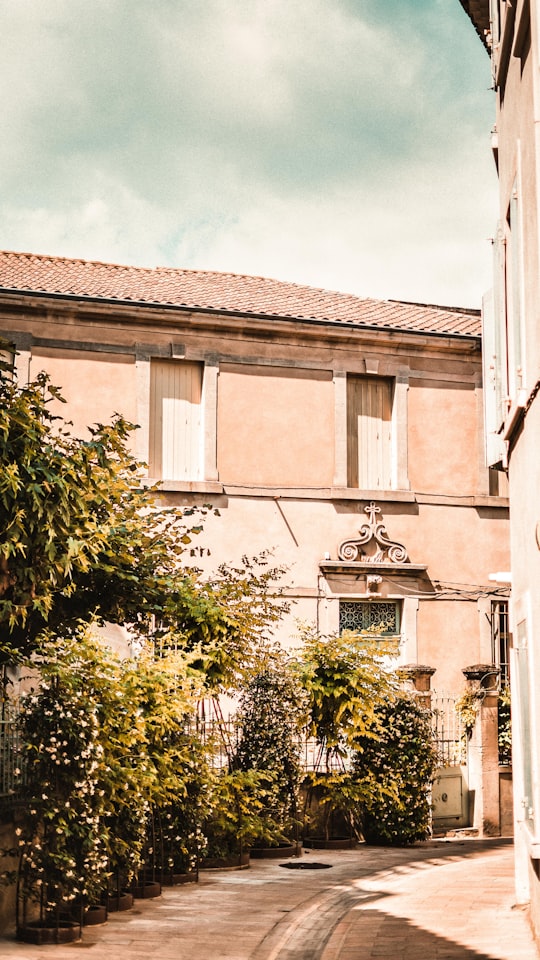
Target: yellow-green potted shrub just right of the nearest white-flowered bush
154, 826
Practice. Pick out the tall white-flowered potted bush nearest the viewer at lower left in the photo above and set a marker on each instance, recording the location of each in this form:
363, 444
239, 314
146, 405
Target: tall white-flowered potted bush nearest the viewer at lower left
63, 854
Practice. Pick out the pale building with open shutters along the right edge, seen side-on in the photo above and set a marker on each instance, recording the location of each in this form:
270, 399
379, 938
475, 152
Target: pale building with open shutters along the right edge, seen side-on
510, 32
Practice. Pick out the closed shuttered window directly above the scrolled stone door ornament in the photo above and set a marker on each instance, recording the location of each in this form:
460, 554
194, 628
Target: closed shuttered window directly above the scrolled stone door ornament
369, 433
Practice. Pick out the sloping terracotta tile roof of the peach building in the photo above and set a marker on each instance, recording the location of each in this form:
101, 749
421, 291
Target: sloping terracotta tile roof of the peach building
233, 293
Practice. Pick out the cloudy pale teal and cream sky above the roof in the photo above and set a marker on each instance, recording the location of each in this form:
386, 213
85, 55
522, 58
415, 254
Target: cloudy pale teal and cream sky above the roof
339, 143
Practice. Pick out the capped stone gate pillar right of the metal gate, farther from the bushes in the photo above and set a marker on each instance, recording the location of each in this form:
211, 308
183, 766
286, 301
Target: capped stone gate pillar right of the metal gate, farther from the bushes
483, 751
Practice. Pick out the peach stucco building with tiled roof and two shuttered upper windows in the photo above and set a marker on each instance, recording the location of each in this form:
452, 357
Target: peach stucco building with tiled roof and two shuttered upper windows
343, 434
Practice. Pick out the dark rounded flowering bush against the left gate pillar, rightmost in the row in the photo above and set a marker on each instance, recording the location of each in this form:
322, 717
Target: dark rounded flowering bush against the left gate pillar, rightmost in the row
402, 759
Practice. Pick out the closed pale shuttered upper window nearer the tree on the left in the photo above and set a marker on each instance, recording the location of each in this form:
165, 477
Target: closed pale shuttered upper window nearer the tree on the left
175, 420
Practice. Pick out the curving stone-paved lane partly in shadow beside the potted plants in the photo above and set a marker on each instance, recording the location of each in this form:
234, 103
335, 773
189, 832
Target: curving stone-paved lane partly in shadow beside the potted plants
442, 899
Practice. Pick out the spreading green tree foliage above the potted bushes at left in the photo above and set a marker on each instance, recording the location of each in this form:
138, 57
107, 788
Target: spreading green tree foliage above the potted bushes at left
82, 537
